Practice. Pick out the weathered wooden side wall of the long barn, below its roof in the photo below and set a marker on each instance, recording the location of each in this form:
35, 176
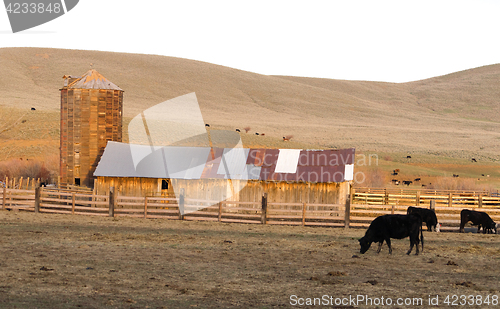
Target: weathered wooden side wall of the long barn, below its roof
218, 189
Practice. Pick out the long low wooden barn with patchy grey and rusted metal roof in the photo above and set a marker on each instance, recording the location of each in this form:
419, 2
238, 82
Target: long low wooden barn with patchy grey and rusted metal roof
235, 174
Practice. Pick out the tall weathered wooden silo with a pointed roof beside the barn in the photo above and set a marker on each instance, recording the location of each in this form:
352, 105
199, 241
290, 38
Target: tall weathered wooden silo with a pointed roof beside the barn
91, 115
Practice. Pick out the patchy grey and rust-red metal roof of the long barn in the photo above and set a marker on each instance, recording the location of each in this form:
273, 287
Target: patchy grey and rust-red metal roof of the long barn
292, 165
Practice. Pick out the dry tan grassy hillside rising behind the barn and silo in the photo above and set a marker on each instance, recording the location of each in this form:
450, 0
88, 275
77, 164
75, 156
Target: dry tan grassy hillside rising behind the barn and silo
453, 116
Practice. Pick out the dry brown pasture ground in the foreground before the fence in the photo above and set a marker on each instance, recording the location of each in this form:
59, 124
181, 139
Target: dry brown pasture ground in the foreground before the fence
64, 261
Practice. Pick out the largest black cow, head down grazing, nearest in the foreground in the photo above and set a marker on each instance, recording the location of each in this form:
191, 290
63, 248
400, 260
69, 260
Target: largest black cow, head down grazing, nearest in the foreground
393, 226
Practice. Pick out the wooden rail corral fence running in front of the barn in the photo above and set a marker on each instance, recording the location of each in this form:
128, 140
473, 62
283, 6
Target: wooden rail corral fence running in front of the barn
365, 207
